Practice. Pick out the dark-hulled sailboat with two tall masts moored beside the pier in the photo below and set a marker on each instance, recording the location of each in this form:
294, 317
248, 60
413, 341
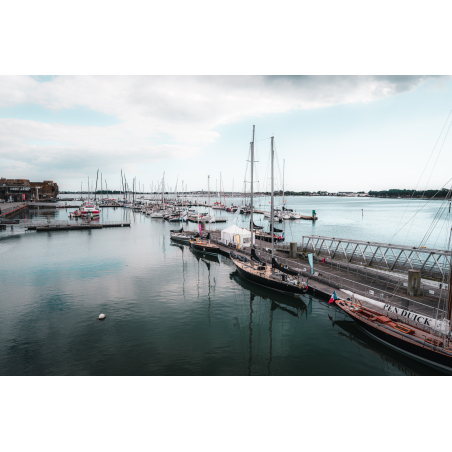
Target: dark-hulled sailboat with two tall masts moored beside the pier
276, 276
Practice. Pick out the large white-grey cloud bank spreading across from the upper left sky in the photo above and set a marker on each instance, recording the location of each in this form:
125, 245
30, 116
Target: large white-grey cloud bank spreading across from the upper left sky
162, 117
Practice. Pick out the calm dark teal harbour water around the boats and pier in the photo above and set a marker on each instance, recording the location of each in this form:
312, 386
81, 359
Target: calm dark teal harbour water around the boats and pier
170, 312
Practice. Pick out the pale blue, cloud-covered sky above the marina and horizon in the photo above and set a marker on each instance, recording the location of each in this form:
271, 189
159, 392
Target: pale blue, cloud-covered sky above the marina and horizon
333, 133
